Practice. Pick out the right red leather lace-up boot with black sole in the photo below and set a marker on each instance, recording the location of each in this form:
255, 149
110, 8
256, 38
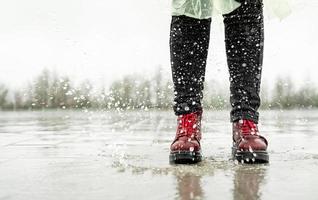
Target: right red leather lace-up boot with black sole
248, 145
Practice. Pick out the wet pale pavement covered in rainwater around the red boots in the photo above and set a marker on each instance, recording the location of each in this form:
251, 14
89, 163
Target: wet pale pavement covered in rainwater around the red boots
111, 155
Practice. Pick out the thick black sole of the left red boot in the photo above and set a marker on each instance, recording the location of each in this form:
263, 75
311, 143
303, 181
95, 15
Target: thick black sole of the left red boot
185, 157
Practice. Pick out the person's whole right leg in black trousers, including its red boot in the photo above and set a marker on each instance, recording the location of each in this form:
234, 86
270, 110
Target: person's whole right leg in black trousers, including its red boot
244, 40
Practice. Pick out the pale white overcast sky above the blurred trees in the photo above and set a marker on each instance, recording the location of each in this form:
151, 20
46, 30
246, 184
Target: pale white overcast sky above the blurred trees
103, 40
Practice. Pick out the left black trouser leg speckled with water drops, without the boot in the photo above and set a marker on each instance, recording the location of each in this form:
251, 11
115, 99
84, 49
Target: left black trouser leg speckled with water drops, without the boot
189, 42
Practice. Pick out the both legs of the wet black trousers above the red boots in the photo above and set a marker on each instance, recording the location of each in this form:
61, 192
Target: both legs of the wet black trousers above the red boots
244, 39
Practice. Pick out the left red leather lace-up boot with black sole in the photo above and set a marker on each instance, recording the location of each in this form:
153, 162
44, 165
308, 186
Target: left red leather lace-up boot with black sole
185, 149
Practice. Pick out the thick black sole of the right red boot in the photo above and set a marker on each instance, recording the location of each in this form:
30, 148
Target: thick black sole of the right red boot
255, 157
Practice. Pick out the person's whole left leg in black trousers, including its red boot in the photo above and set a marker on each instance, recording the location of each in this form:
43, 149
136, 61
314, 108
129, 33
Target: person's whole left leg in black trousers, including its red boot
189, 41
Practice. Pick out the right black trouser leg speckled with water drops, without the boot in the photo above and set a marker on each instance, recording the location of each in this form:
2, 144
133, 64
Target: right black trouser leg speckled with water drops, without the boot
244, 41
